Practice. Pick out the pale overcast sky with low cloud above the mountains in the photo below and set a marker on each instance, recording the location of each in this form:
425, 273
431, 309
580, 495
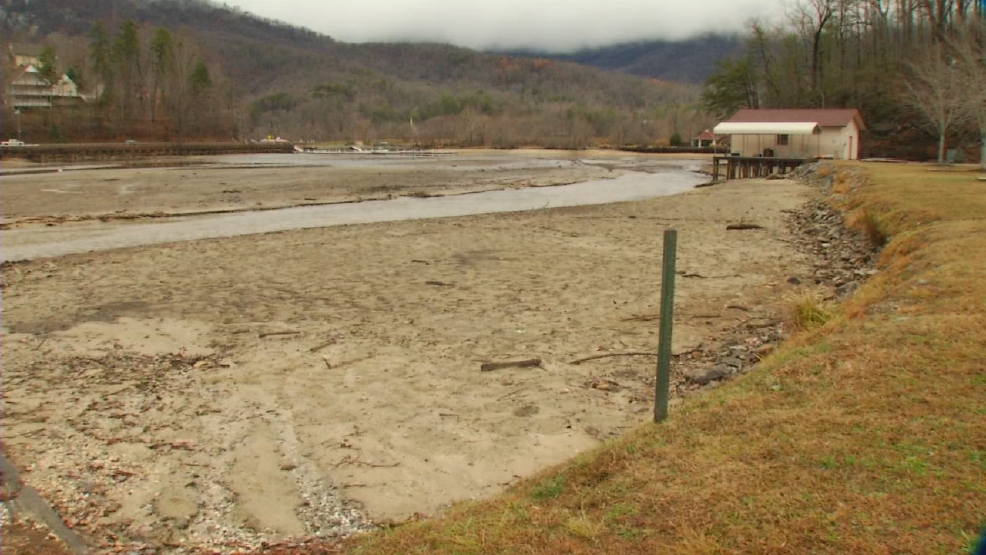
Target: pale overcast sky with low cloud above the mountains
557, 25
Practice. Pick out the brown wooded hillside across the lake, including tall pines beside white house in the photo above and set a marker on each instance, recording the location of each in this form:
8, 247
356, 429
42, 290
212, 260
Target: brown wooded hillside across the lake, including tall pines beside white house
266, 77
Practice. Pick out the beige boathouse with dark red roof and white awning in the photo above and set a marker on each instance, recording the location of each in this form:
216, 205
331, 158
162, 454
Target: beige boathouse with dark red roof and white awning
797, 133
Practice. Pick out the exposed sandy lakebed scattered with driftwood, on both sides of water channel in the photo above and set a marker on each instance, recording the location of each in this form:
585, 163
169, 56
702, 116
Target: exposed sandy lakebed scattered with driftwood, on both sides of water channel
218, 393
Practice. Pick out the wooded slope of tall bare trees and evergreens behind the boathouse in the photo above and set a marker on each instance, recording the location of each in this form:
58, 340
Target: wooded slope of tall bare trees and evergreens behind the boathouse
916, 69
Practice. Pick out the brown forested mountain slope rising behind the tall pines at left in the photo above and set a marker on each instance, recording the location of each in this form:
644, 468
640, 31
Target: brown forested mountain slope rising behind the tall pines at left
287, 80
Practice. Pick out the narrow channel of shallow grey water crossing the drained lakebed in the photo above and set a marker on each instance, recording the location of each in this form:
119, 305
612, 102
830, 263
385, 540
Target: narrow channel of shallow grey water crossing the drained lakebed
27, 244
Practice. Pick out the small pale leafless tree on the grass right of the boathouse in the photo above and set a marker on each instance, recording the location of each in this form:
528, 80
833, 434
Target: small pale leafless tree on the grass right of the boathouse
935, 87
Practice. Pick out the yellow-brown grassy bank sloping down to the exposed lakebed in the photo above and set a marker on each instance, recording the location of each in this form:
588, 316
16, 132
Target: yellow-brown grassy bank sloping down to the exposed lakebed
864, 435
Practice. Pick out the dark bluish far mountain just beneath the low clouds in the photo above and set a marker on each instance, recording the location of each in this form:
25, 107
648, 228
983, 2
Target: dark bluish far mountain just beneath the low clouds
688, 61
